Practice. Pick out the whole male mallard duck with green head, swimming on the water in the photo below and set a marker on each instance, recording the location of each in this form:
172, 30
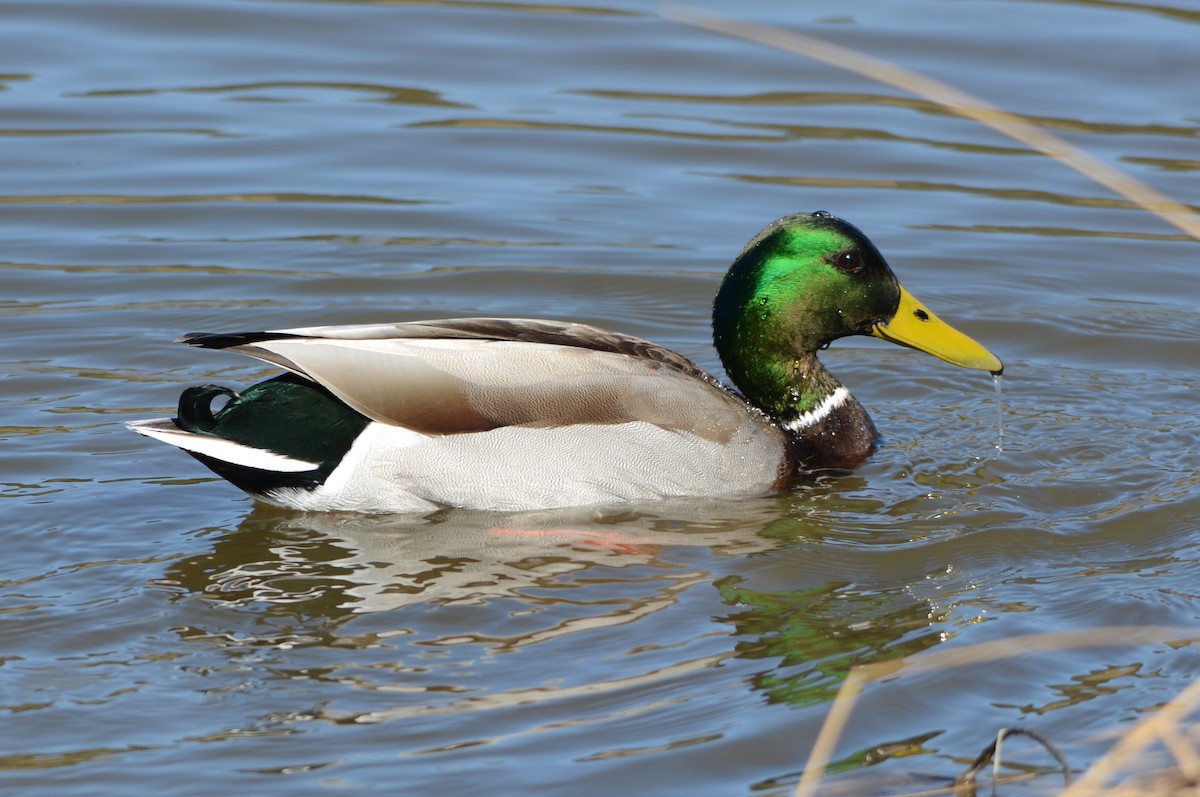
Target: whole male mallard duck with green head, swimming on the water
515, 415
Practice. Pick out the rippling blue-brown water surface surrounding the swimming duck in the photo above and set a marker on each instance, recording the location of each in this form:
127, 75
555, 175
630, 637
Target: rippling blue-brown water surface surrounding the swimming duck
231, 165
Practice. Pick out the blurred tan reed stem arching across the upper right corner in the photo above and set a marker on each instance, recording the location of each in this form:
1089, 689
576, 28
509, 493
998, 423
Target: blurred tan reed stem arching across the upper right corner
953, 100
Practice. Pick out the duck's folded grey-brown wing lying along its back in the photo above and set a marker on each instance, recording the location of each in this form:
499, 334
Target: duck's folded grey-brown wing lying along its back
478, 374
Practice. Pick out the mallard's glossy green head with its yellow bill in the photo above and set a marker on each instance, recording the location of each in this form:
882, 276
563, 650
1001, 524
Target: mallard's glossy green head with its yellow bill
806, 281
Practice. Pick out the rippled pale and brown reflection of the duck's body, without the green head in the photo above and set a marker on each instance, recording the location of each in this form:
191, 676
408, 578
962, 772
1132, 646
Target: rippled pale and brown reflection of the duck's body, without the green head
349, 565
